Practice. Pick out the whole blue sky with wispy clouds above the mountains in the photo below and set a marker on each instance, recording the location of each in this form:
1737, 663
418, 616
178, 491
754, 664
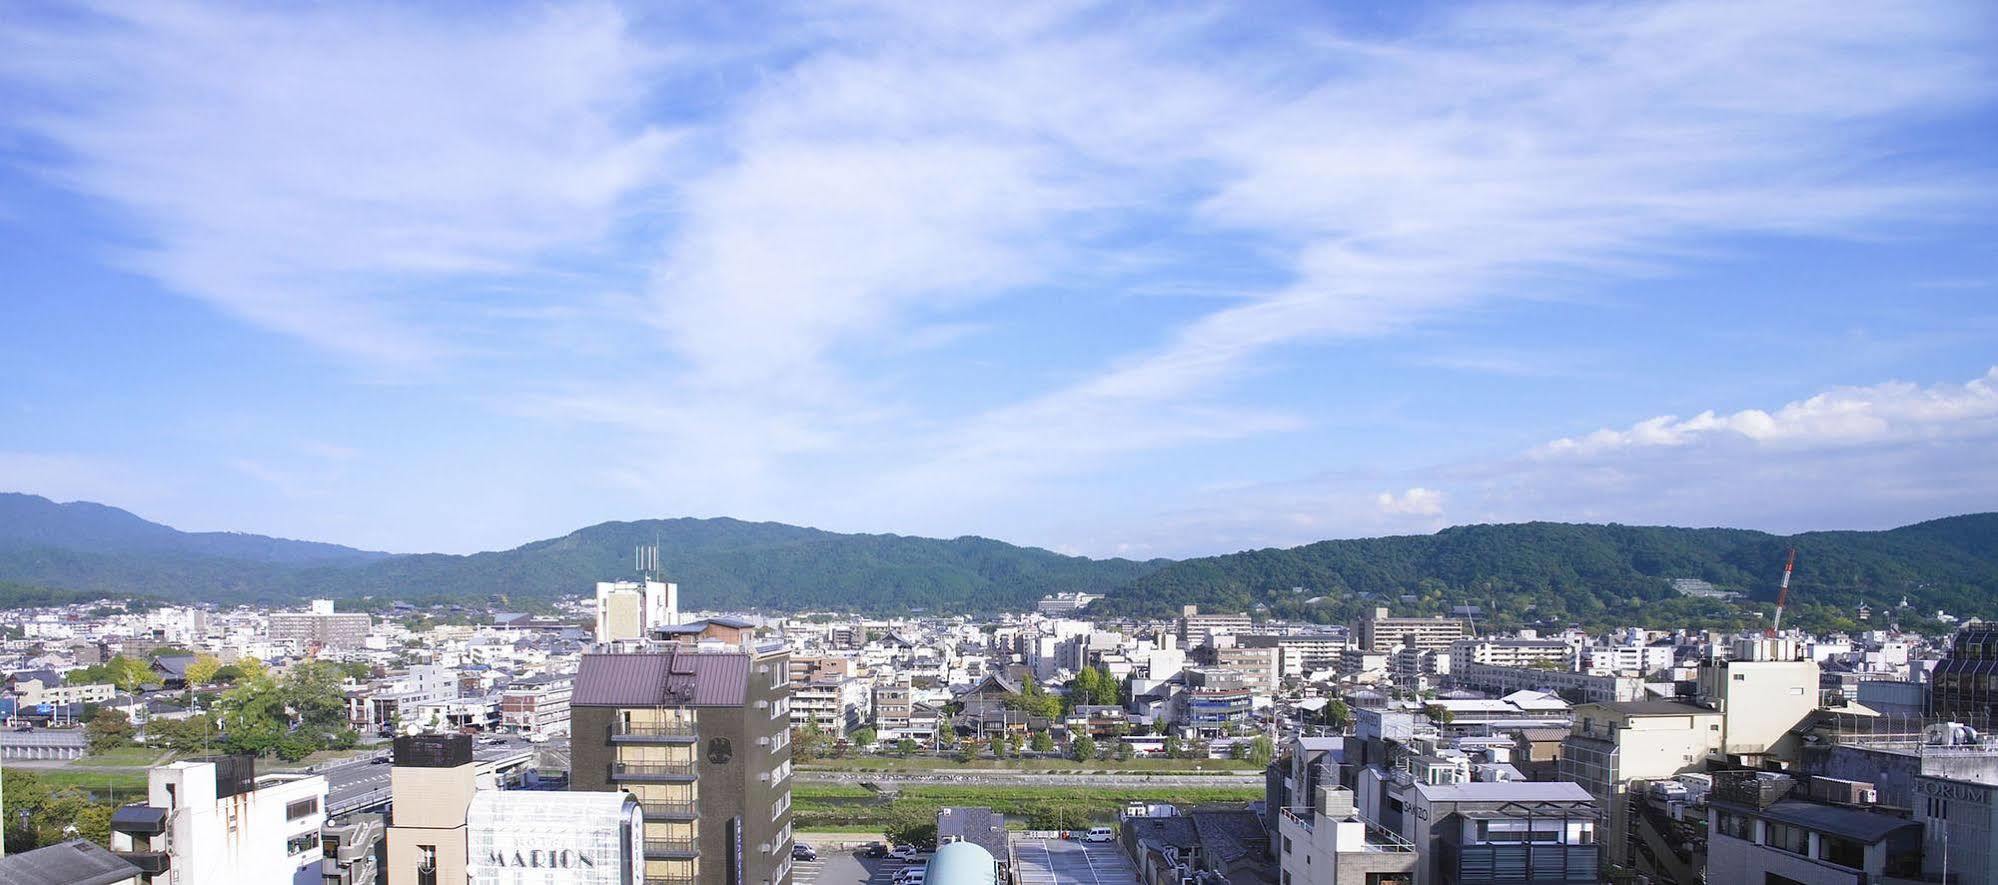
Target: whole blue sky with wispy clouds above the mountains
1106, 279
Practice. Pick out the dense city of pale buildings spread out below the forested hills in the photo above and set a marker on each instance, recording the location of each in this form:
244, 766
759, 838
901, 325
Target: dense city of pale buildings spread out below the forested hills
624, 738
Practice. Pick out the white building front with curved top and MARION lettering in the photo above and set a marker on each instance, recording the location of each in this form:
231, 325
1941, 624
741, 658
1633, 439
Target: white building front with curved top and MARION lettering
530, 838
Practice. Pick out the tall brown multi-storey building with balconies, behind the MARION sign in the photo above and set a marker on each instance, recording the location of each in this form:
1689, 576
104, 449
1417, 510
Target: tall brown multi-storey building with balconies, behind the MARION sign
702, 740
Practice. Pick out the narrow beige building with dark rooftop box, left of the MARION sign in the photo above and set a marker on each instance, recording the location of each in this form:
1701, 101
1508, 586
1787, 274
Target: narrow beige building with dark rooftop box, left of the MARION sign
433, 788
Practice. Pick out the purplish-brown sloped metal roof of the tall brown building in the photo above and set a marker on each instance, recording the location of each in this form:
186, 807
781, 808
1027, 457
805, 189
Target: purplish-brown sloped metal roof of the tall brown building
662, 680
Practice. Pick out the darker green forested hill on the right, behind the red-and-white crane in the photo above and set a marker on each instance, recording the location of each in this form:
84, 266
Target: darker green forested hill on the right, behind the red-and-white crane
1561, 572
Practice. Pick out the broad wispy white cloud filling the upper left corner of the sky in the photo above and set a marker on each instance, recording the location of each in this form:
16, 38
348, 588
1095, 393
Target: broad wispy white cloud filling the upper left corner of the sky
313, 169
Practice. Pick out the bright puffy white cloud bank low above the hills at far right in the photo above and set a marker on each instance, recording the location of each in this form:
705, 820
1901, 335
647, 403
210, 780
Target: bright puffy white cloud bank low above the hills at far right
1841, 417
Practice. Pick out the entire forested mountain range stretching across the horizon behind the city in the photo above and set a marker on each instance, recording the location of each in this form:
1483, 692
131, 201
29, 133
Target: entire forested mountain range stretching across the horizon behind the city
1515, 574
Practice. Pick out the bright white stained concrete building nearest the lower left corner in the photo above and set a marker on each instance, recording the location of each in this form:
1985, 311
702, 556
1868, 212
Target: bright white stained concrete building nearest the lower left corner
217, 822
